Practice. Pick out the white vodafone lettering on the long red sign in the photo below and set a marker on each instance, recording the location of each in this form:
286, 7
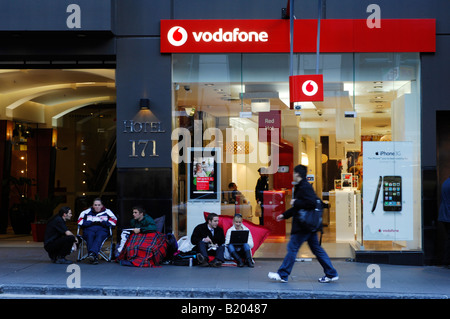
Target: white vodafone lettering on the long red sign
231, 36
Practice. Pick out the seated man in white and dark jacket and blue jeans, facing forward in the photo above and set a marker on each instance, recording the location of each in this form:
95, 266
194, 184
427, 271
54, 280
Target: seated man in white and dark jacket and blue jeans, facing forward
95, 222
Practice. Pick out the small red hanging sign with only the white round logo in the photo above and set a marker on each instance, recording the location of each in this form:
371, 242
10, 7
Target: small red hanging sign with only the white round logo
306, 88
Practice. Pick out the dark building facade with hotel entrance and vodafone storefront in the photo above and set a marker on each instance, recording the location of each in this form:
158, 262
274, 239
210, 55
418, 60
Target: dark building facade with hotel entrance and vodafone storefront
117, 95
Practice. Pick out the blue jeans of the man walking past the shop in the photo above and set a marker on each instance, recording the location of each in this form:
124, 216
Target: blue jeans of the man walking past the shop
294, 245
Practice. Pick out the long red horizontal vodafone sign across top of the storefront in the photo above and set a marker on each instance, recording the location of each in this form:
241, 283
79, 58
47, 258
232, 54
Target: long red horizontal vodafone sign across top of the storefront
272, 36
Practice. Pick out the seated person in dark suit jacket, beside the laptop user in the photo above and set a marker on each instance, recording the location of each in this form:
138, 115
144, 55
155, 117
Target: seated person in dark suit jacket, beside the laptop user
208, 239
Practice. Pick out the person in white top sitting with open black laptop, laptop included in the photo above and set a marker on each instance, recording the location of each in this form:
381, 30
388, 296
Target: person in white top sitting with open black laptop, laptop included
239, 241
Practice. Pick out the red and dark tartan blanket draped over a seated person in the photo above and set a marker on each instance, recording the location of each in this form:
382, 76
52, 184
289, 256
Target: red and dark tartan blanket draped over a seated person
144, 250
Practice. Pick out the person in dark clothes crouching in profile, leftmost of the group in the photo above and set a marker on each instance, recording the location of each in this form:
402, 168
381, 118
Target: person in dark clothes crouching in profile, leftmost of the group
59, 241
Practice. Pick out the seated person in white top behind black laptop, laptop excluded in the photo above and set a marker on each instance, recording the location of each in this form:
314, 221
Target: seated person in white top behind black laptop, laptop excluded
245, 249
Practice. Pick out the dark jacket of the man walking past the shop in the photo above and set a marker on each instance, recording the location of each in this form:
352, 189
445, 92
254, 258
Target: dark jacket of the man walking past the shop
305, 198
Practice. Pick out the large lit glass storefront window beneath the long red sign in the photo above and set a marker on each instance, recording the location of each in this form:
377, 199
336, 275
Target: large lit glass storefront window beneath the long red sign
362, 140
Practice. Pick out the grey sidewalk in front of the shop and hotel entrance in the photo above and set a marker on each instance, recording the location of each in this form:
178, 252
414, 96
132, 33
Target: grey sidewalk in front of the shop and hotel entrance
26, 271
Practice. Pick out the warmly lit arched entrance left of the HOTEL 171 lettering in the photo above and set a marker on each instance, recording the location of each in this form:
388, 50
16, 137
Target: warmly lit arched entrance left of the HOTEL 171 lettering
58, 133
